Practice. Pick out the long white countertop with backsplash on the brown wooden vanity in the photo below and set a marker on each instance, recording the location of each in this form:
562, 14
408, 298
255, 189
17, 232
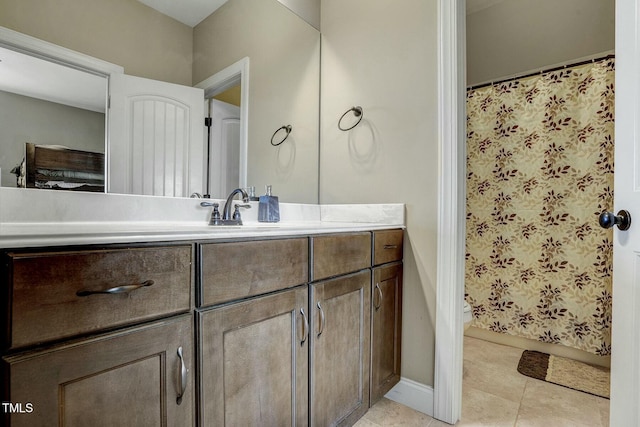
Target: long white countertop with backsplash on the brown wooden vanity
54, 219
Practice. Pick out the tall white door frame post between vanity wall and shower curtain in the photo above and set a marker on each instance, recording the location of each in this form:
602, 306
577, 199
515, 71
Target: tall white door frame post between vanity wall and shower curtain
447, 388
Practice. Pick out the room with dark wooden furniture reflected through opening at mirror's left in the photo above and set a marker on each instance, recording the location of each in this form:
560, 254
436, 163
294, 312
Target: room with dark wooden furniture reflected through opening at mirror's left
52, 125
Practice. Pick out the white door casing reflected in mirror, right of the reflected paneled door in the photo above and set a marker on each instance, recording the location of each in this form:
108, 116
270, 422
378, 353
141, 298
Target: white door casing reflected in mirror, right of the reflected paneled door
230, 76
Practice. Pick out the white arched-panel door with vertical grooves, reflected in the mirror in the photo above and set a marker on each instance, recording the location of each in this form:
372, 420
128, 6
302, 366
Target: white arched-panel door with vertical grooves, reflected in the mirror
156, 144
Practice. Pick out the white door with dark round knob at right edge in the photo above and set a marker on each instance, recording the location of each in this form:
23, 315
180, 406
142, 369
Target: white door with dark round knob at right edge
625, 342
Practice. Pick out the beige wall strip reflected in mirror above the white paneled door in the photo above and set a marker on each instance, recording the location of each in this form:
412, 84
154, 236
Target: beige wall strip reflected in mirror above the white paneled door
124, 32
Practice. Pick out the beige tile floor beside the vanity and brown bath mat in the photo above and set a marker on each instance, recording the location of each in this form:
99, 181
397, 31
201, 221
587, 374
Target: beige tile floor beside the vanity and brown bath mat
495, 394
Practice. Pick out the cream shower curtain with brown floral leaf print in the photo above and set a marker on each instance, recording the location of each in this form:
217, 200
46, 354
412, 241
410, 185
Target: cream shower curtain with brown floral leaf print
540, 171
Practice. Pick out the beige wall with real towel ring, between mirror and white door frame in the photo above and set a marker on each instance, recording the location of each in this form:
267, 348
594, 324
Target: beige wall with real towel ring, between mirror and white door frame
383, 57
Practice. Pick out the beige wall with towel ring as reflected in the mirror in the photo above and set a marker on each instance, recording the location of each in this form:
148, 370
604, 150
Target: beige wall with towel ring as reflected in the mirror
284, 55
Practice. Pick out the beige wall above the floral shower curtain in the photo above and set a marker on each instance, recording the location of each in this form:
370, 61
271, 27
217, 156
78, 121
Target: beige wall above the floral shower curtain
516, 36
